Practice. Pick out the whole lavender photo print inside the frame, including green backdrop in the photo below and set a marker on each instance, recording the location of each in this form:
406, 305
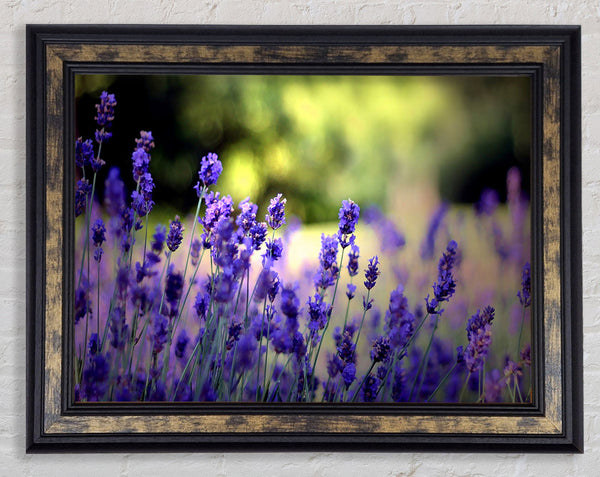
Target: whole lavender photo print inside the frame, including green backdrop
302, 239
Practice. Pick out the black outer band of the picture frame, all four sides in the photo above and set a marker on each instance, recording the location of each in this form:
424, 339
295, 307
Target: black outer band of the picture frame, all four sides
37, 35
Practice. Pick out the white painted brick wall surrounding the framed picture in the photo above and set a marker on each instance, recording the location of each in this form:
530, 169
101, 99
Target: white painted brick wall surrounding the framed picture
14, 14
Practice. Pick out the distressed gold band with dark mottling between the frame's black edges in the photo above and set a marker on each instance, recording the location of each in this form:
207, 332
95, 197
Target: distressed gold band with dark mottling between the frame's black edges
55, 423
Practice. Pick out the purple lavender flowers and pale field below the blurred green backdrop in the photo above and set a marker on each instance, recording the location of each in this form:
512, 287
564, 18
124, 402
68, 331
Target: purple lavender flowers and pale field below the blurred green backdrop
234, 303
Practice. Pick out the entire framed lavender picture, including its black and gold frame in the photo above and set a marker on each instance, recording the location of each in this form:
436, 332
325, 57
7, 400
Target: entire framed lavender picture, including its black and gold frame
281, 238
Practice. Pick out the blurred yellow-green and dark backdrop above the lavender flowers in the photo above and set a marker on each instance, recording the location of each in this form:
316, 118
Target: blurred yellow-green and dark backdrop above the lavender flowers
400, 141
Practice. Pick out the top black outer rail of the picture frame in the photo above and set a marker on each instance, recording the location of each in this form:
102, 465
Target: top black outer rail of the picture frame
302, 34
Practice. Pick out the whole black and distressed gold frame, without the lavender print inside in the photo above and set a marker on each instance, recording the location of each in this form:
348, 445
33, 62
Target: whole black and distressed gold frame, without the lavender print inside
549, 55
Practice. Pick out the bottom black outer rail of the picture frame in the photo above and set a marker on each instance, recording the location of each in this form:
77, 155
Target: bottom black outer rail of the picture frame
252, 442
